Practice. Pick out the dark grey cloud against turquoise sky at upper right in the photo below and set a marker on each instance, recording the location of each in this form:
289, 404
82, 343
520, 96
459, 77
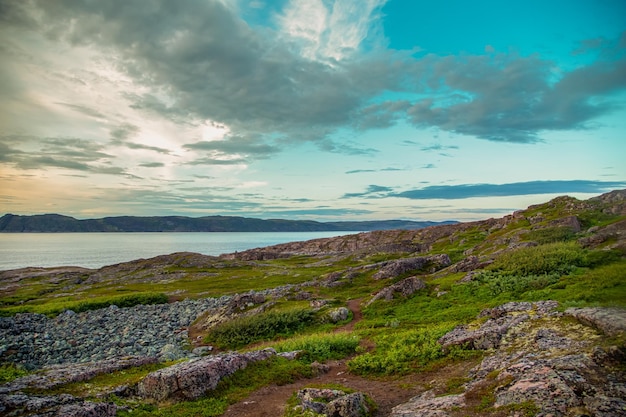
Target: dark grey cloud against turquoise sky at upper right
510, 98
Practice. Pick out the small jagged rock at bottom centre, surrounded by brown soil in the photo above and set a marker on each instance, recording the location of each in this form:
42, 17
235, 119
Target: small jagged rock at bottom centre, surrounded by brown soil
333, 403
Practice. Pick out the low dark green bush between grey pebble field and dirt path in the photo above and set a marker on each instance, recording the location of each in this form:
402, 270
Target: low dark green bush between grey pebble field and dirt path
240, 332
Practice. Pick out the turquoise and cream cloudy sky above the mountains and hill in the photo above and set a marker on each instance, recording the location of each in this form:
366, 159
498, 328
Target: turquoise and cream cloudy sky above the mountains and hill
309, 109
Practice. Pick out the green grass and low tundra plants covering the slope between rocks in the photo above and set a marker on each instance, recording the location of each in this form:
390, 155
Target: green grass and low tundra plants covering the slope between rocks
565, 250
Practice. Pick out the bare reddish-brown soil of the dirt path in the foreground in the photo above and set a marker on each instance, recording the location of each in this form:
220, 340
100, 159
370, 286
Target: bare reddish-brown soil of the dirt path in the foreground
271, 401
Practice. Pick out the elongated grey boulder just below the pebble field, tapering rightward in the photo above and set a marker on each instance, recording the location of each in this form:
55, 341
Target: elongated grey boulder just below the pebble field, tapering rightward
190, 380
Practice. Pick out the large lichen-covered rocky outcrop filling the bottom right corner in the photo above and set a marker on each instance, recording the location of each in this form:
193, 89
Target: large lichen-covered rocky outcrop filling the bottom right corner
548, 365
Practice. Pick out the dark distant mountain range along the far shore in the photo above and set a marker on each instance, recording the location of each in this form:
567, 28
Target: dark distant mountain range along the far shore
56, 223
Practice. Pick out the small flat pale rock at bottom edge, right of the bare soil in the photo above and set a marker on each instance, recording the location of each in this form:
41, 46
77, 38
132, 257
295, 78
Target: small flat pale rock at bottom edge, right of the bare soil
427, 405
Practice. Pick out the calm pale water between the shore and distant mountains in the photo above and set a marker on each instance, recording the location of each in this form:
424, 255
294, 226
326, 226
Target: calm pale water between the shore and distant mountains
94, 250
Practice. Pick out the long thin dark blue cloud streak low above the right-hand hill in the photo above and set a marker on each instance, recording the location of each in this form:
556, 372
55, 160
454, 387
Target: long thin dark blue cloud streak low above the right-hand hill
462, 191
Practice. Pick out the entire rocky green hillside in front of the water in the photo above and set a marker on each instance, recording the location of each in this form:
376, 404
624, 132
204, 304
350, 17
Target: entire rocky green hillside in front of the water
519, 316
